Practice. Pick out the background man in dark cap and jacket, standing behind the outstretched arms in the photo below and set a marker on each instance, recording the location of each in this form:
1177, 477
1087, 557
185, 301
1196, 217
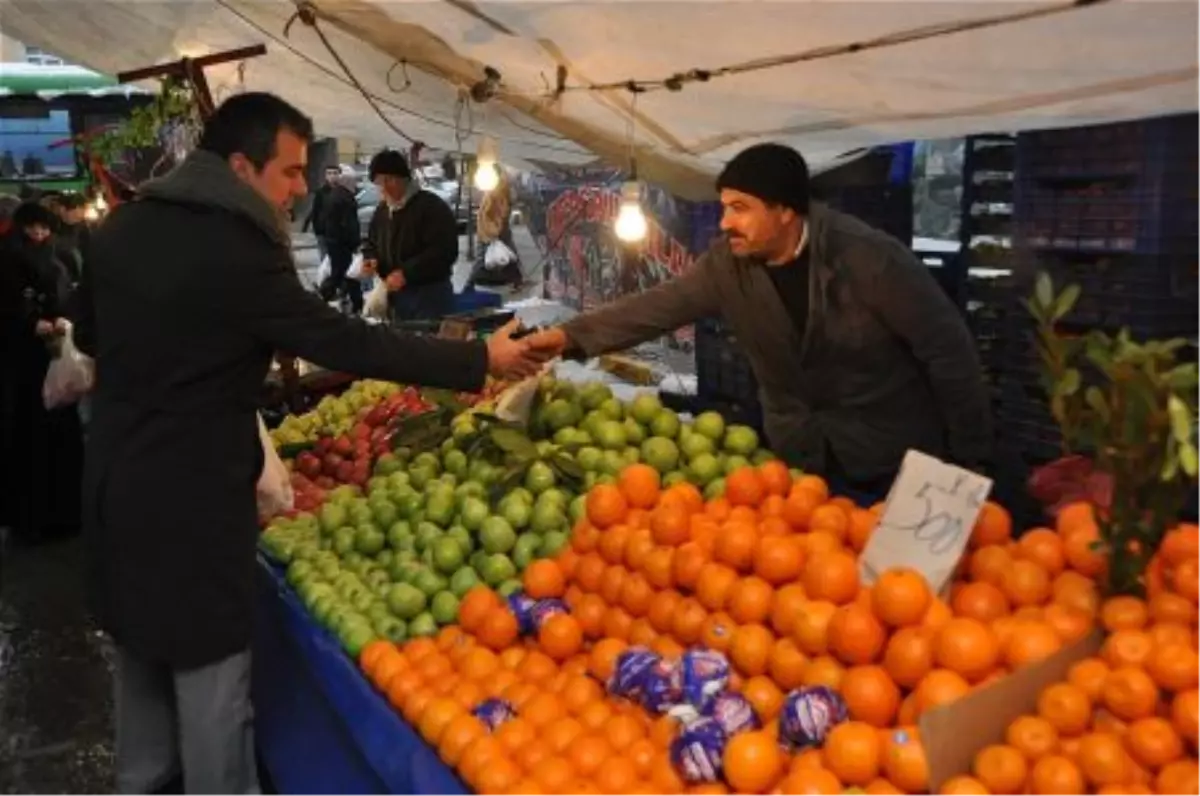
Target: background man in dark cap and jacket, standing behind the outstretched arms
412, 242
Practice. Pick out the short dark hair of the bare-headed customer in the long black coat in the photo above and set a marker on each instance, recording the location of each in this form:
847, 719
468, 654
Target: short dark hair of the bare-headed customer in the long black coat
250, 124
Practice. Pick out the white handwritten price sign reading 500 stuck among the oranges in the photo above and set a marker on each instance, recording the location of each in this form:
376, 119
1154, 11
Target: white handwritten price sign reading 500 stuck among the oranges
927, 520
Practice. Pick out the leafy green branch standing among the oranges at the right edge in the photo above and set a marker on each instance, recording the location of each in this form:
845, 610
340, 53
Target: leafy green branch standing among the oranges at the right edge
1132, 406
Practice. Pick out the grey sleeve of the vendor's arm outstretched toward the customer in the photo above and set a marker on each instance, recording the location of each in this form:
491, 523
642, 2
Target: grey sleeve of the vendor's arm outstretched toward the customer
639, 319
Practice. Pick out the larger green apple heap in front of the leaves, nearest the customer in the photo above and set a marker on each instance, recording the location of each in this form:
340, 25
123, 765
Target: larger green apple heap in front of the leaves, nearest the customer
394, 562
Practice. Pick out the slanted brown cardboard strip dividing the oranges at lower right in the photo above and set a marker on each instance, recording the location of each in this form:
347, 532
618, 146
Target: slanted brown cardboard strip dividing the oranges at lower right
953, 734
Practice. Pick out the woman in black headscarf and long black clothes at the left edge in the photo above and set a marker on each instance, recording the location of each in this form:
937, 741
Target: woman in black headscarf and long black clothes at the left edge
46, 446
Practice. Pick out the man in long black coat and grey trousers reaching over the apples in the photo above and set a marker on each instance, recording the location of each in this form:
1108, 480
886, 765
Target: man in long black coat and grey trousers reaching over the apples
190, 292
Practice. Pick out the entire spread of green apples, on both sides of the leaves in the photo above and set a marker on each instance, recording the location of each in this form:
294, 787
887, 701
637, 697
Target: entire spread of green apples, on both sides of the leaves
394, 560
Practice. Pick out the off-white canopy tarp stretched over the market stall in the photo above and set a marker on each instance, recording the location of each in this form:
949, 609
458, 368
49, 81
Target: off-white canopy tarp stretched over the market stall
831, 75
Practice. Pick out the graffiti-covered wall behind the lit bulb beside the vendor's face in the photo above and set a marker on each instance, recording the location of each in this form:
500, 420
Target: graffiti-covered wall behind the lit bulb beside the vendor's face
586, 265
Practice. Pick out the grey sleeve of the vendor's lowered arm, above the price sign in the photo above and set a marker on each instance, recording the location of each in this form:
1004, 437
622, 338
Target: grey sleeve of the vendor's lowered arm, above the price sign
911, 303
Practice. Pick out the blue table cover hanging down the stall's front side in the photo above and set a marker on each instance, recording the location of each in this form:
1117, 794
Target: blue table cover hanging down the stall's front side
322, 728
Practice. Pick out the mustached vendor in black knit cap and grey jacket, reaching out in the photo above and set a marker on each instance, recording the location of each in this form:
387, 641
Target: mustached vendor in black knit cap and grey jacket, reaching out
859, 354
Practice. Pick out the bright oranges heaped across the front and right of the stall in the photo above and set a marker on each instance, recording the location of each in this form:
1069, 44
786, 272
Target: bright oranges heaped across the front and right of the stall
770, 576
